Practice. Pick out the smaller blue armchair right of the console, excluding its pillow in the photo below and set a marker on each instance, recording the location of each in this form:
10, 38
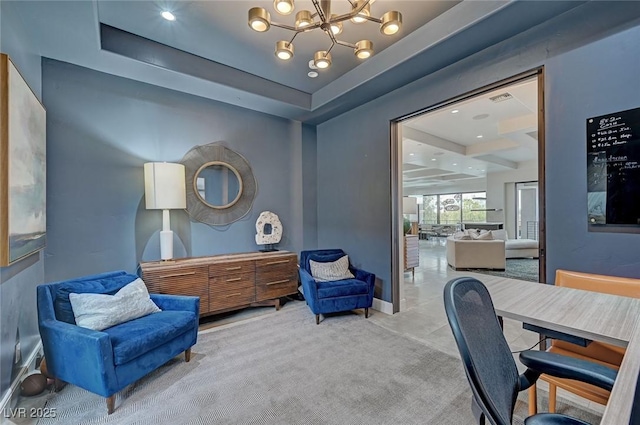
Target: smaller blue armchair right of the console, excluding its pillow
339, 295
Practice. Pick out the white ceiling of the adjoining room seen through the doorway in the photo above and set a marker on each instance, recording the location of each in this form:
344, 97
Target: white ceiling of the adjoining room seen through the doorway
443, 148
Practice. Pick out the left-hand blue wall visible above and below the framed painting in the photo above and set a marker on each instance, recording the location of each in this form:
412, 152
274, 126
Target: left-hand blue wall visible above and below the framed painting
18, 282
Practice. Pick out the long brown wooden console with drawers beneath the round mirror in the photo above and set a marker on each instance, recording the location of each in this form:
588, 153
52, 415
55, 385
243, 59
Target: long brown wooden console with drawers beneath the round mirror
226, 282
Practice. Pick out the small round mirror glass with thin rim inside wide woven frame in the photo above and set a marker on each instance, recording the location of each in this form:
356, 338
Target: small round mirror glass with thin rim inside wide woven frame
218, 184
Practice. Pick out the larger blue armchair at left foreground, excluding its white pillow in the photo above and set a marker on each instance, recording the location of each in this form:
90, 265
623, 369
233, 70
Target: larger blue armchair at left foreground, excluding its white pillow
104, 362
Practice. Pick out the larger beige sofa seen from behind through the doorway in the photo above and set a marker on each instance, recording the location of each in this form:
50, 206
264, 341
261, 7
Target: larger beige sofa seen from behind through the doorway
476, 254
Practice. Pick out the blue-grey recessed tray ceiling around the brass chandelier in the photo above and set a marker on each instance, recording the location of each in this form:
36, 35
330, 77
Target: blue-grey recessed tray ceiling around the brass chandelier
210, 51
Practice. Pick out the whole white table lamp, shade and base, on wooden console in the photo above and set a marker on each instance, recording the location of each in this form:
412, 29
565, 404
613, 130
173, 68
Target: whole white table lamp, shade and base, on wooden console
164, 189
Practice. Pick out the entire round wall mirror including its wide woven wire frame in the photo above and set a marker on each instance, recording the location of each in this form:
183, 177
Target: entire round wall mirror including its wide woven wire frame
220, 187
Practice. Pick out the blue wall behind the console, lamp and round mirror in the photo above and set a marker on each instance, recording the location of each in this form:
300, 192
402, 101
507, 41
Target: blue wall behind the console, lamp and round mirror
102, 129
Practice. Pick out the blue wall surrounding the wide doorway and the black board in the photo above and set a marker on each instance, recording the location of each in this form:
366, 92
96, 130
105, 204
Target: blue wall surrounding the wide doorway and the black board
584, 77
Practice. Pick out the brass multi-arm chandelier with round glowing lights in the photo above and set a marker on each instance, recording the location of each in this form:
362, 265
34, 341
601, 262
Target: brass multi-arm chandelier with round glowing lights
331, 24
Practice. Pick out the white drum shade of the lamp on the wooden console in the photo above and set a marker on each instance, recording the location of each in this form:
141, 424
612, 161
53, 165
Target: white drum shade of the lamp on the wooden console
164, 186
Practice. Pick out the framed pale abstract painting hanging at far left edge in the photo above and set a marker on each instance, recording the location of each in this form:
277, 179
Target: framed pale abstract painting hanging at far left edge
22, 167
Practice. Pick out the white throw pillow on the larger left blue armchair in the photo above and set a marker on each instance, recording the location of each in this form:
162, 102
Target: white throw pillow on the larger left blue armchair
101, 311
